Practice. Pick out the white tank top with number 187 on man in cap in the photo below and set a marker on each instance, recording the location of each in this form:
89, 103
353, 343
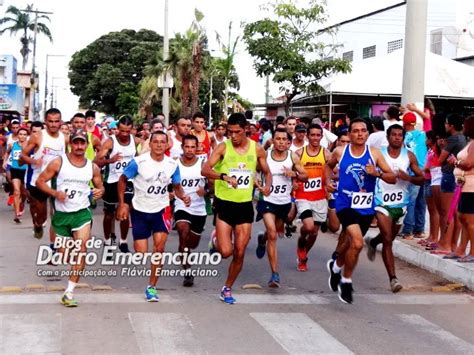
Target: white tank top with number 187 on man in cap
74, 181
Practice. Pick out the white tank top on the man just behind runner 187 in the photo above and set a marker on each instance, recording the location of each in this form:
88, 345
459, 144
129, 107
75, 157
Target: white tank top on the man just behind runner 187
49, 149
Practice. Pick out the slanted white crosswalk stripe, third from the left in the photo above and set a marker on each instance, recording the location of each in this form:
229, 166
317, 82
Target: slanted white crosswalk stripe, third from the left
299, 334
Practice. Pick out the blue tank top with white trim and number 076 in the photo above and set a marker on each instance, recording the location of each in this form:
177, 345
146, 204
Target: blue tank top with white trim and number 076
356, 187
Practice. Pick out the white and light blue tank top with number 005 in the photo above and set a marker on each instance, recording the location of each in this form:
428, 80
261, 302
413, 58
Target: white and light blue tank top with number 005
393, 195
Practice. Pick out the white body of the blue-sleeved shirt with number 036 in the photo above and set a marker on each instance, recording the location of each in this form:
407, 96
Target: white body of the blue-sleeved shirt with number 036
151, 183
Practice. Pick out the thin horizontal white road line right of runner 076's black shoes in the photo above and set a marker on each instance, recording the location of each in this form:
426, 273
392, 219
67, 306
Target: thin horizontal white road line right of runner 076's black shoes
424, 299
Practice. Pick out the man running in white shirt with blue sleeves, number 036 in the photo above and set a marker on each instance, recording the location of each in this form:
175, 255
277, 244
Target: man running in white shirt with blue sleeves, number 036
151, 172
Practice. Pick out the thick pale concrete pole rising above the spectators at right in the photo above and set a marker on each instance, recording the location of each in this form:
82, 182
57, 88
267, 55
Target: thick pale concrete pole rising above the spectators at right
413, 88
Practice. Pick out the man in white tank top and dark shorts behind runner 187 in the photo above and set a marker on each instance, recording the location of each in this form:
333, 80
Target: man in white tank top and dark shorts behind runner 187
47, 144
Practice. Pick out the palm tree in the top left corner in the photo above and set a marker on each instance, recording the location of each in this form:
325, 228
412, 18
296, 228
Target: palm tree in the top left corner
23, 22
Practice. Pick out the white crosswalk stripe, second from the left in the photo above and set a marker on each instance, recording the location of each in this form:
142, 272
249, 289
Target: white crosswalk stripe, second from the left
163, 333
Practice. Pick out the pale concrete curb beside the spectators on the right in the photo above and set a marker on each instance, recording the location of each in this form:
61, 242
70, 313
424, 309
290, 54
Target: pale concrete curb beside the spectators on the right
449, 269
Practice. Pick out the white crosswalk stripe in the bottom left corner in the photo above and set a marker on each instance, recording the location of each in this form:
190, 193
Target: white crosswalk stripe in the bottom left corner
30, 333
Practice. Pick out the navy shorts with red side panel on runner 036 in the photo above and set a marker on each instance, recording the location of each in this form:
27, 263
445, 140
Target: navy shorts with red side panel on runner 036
145, 224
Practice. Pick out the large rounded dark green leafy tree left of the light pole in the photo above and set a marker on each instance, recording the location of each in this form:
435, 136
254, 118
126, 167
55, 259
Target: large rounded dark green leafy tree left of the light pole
106, 74
